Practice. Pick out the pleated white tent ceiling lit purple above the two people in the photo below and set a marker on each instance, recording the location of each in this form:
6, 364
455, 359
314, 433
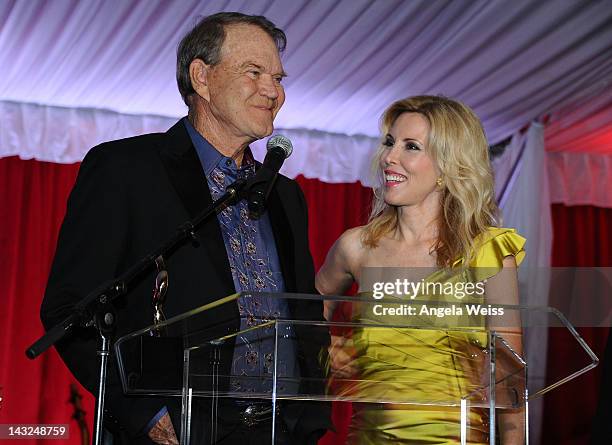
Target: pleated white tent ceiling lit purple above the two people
347, 60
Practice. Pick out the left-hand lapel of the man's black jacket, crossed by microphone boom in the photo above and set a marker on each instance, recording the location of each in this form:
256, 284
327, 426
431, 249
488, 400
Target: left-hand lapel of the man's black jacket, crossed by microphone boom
186, 175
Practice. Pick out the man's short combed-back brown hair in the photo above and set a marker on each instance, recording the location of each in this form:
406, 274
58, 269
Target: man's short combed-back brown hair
206, 38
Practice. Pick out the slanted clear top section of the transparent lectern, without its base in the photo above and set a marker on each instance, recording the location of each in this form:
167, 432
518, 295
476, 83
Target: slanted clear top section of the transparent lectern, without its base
384, 350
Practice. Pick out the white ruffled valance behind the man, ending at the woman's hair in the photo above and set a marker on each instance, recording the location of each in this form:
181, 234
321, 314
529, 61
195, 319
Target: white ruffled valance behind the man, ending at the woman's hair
64, 135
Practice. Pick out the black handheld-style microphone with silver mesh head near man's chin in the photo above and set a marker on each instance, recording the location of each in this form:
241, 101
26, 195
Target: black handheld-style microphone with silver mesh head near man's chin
279, 148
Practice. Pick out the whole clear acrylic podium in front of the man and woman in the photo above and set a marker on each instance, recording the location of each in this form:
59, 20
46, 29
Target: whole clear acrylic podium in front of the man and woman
409, 359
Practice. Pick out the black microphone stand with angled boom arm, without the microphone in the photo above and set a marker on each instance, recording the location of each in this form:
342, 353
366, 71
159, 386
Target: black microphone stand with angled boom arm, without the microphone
96, 308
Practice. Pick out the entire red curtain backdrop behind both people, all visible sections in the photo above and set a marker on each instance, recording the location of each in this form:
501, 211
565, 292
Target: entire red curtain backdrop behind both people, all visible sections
33, 203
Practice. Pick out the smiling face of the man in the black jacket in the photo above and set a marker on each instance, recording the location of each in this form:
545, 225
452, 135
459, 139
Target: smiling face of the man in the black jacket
245, 86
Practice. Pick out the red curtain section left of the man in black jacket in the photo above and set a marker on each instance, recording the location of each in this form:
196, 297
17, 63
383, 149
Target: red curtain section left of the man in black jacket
33, 204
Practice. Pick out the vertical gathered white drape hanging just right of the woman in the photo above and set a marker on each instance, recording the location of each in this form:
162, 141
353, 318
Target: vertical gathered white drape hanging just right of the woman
522, 186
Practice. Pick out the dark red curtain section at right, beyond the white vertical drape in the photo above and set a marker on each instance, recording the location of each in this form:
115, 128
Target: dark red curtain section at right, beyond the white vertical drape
581, 238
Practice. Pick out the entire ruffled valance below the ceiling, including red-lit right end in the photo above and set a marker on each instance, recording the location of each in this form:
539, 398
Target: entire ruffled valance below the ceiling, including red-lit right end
63, 135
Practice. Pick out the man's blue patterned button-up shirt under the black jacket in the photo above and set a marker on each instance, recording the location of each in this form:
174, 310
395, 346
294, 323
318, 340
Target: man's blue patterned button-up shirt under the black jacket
255, 266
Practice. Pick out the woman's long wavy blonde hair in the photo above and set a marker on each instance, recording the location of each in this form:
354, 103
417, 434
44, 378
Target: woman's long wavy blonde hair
458, 146
